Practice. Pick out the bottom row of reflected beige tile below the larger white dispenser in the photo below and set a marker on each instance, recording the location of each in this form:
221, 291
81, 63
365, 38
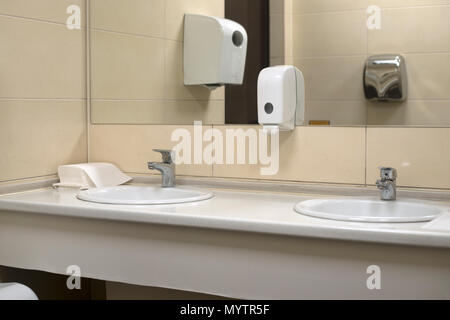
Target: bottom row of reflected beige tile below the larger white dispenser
158, 112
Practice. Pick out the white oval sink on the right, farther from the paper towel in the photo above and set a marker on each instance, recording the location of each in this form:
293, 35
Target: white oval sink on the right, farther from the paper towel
367, 210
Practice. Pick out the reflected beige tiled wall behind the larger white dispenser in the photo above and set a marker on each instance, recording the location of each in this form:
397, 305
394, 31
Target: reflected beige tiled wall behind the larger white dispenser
137, 68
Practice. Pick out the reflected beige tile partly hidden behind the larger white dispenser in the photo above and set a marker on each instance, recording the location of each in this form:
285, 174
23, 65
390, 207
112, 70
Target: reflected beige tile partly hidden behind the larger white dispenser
174, 80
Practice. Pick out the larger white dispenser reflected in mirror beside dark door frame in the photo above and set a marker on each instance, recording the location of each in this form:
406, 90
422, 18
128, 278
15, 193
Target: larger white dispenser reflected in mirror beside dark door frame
215, 50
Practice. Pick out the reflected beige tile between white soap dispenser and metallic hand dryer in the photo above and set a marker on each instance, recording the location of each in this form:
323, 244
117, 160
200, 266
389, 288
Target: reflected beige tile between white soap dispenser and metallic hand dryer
333, 78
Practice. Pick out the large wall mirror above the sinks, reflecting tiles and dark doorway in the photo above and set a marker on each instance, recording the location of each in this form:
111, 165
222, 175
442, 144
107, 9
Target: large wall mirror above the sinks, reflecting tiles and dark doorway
136, 51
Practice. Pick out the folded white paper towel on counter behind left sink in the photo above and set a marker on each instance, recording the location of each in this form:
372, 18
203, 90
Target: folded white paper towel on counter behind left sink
91, 175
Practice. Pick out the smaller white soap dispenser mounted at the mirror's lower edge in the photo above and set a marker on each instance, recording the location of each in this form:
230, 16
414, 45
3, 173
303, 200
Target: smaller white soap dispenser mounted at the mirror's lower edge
281, 98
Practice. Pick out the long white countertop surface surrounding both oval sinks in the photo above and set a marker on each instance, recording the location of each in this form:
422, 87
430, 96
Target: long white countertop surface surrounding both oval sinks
248, 211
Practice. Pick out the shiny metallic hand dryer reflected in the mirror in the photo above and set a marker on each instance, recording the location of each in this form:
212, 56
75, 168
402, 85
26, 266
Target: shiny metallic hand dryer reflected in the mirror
385, 78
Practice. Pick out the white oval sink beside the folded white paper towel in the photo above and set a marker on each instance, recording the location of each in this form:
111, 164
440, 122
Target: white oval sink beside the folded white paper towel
148, 195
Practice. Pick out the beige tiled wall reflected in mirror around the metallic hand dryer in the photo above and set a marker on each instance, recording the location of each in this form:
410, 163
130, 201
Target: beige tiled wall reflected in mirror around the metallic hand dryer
332, 42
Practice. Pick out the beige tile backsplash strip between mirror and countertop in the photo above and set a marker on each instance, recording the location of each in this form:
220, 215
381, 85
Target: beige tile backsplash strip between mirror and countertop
338, 155
